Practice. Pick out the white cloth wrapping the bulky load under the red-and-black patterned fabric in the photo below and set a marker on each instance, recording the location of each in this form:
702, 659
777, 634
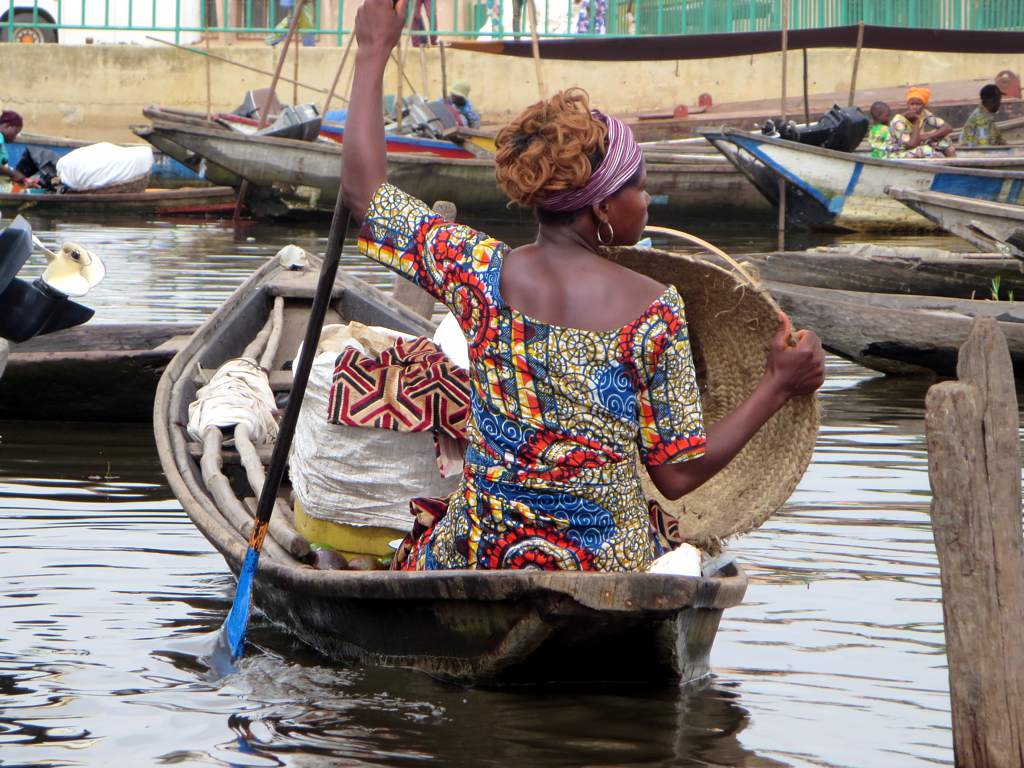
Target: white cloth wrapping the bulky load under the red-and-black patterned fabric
358, 476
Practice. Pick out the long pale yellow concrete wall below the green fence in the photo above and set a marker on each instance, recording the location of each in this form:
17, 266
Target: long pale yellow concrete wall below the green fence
97, 92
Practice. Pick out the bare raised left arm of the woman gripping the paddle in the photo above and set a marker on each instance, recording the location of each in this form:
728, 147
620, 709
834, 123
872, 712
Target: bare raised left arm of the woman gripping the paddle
378, 30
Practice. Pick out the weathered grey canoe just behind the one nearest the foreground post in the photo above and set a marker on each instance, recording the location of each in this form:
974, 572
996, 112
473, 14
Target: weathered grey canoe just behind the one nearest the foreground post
906, 270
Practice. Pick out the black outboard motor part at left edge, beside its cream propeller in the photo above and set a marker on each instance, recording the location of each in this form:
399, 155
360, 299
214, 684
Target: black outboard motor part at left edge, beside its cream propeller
29, 310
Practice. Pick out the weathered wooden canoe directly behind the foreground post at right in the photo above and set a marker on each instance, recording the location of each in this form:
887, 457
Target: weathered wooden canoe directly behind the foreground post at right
894, 334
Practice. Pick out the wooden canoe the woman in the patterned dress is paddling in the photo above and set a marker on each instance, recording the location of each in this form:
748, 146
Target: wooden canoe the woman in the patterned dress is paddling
467, 627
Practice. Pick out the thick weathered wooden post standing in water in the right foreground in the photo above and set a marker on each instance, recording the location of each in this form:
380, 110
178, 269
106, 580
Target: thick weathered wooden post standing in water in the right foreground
975, 472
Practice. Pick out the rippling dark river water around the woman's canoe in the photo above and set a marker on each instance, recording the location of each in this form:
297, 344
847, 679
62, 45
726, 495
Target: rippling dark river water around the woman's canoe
835, 659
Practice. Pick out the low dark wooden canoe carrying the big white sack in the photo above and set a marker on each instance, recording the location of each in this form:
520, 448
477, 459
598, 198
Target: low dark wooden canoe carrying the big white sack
192, 200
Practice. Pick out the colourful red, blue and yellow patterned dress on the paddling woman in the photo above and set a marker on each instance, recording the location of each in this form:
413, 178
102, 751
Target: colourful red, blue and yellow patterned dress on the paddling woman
561, 416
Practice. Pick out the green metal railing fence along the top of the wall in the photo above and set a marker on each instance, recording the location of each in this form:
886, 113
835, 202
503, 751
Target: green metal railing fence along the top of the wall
186, 21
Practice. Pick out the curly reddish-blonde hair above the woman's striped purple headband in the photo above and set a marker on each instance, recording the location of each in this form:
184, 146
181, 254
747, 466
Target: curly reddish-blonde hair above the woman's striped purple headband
551, 147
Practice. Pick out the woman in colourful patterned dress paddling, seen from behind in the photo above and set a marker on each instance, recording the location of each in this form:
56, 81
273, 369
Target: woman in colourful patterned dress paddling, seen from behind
579, 366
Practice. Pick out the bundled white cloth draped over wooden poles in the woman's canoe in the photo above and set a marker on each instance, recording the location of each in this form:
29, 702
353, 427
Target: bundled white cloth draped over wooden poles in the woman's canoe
238, 394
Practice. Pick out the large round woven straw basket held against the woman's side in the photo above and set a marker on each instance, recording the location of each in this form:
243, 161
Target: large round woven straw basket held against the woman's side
732, 325
